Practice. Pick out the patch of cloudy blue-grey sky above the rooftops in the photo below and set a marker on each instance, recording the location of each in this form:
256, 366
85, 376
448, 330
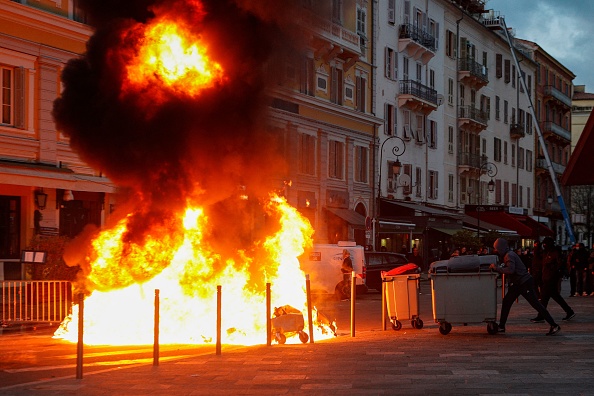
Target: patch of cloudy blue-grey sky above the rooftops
564, 28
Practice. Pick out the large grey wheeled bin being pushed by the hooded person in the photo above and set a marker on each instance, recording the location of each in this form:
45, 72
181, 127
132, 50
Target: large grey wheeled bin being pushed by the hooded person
464, 291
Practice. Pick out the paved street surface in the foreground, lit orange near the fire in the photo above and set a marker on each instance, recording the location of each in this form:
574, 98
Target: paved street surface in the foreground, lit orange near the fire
467, 361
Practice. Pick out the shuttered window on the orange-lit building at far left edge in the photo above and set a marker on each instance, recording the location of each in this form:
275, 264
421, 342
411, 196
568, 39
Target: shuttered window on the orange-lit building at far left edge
12, 100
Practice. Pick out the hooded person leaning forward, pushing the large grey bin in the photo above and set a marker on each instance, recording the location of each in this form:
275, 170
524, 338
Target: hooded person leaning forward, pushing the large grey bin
520, 282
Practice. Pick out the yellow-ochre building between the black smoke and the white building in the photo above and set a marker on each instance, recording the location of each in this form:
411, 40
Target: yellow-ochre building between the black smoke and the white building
324, 109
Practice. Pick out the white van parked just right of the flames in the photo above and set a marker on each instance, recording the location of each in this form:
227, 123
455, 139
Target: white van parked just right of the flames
324, 261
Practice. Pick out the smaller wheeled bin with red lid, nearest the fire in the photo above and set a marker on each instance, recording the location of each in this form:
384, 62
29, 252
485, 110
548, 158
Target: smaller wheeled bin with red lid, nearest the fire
402, 299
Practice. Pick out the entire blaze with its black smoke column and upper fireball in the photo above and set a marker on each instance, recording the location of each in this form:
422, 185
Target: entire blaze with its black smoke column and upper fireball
169, 102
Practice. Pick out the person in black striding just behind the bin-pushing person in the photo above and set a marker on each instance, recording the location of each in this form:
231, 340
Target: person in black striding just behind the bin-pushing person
552, 273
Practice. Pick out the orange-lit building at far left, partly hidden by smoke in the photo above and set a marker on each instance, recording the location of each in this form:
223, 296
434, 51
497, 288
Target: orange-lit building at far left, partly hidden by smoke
45, 188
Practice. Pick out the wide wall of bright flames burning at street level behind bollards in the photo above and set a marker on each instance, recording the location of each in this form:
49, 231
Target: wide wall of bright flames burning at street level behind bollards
187, 285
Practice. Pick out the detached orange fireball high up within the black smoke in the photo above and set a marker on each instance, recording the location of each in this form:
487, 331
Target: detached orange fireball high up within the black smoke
172, 56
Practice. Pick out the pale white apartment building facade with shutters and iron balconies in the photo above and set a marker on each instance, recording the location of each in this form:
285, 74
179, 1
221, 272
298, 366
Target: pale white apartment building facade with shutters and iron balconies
448, 89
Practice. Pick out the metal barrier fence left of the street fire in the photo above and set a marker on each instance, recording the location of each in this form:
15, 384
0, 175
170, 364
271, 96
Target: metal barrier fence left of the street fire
35, 301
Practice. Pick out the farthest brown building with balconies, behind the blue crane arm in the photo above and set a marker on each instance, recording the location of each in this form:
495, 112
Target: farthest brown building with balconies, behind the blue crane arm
553, 105
